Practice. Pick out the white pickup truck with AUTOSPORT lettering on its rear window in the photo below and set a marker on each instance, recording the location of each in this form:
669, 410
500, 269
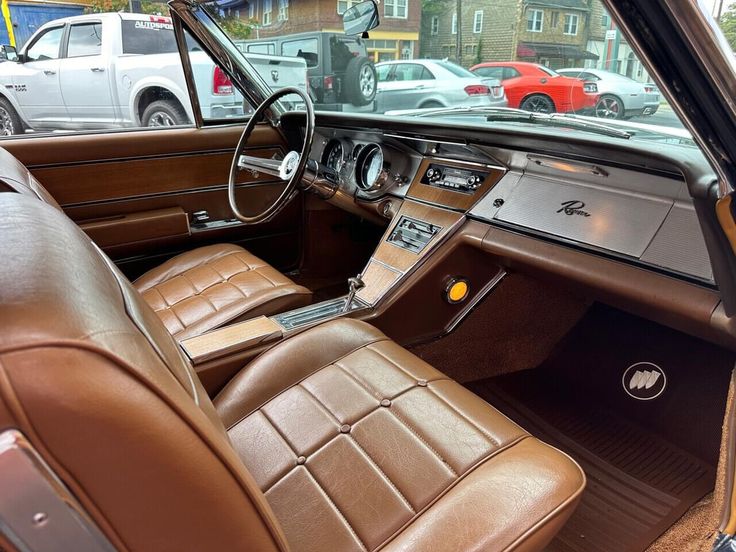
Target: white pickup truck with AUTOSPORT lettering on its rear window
115, 70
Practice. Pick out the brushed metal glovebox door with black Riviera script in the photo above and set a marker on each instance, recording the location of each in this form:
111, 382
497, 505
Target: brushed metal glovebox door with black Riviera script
616, 220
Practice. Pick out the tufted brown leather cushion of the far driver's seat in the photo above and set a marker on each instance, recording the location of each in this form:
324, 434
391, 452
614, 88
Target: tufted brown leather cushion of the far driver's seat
210, 286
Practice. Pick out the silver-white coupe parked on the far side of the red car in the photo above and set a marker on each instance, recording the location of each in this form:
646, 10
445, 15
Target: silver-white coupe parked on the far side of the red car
620, 96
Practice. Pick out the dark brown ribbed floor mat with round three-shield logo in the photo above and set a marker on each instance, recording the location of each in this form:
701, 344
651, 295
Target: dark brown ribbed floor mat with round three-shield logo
642, 474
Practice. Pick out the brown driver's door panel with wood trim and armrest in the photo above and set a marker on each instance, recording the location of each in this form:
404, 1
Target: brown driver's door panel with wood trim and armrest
119, 185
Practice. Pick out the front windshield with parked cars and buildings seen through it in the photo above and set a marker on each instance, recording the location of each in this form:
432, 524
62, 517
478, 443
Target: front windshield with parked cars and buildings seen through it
451, 65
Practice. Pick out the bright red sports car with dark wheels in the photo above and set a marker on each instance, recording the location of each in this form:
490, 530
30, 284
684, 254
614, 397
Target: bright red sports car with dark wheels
534, 87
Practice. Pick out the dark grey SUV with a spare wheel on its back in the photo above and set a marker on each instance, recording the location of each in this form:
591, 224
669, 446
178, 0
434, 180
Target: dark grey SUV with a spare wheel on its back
341, 75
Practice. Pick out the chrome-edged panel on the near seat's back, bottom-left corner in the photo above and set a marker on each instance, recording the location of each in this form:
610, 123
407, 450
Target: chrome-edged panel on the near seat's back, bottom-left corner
37, 511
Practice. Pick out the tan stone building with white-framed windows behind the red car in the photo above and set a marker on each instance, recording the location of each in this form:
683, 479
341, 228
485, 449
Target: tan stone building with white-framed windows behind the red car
551, 32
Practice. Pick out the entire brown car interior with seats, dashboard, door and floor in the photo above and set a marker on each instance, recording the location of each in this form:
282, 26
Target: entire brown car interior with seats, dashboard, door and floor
413, 336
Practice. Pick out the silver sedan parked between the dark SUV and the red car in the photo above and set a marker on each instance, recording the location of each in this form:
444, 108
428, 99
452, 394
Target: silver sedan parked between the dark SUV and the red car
425, 83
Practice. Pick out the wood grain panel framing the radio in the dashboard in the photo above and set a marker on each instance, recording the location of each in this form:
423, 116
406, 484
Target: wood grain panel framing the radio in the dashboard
450, 198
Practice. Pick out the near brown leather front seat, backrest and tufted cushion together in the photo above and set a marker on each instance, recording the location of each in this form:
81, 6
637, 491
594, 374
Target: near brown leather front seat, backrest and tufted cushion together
335, 439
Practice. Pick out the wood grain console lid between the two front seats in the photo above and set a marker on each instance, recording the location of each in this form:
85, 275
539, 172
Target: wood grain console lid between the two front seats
238, 337
